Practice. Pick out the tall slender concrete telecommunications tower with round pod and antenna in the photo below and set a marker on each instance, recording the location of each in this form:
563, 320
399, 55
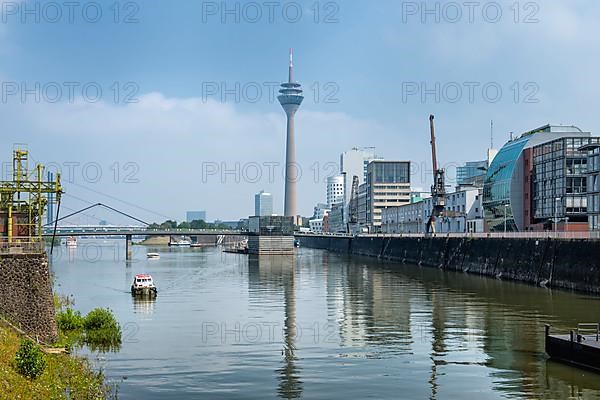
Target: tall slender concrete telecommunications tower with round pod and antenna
290, 98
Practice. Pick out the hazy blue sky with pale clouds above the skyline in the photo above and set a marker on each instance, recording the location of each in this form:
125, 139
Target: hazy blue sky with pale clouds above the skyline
157, 108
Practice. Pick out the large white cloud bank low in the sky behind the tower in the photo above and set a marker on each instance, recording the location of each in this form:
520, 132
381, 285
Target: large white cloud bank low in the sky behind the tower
171, 138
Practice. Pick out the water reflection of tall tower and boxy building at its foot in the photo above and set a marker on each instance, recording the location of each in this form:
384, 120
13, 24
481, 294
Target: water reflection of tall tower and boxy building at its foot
276, 274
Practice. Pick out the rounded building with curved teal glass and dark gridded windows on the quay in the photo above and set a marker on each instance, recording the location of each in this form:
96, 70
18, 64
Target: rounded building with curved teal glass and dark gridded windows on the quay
536, 179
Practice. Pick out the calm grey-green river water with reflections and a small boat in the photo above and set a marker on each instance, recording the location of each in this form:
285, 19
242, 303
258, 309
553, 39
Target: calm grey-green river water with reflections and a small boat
321, 326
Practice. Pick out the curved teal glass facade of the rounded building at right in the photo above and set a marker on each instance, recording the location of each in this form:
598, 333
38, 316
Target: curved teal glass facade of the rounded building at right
497, 187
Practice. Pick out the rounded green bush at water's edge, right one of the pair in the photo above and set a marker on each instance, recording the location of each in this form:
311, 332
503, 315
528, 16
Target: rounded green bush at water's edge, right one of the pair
102, 329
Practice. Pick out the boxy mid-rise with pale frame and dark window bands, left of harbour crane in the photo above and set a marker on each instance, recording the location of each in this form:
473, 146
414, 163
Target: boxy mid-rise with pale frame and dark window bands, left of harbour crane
388, 185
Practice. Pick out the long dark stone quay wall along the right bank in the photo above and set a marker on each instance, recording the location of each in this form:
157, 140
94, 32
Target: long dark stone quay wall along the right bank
555, 263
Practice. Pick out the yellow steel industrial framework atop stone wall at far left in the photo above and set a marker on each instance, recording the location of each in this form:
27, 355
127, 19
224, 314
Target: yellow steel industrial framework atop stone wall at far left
23, 200
